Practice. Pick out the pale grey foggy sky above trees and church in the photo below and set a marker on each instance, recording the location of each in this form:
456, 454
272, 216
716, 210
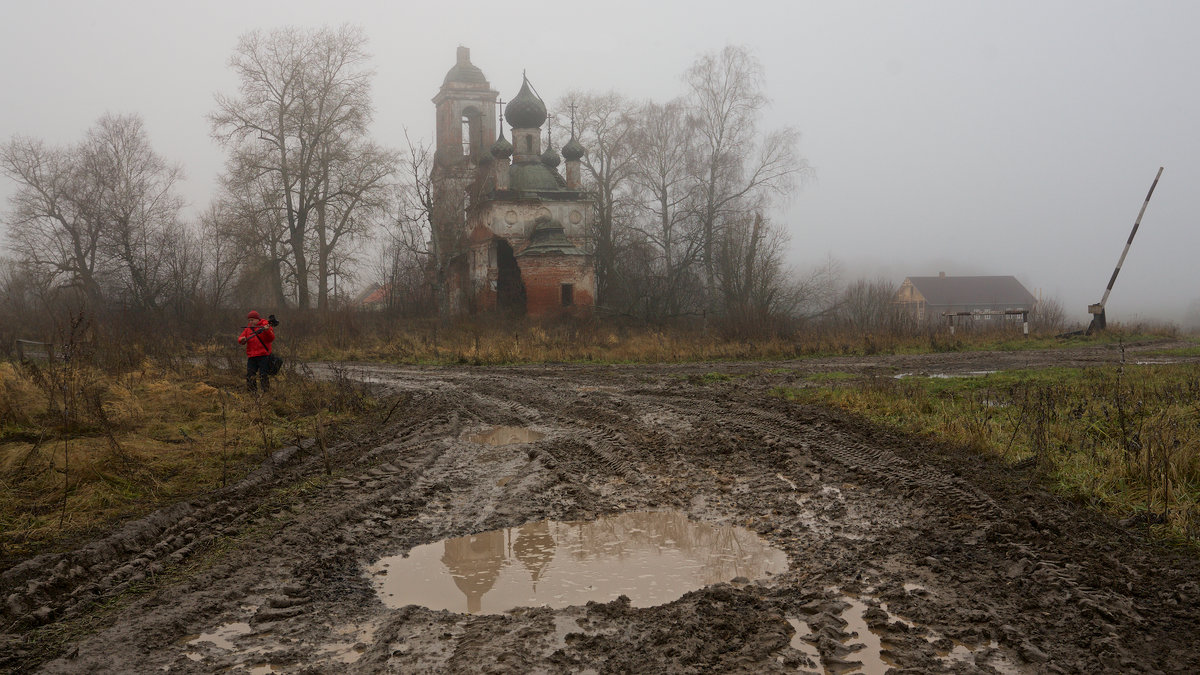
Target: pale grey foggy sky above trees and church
1005, 138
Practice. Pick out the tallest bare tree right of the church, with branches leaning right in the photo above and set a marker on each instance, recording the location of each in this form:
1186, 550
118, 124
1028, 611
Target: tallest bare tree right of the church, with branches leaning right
736, 171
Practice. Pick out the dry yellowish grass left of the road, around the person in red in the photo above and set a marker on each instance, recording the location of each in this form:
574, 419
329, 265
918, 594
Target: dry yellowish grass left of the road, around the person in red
82, 449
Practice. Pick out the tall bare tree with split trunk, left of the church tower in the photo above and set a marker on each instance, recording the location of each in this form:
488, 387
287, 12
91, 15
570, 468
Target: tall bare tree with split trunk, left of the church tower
301, 122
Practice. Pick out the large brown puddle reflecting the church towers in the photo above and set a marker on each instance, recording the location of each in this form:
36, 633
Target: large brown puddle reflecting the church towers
653, 558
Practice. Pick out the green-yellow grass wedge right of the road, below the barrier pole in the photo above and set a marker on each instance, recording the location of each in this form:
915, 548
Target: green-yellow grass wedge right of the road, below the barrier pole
1125, 439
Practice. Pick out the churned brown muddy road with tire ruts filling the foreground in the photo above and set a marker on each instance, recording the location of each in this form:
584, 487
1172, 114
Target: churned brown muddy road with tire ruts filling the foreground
899, 554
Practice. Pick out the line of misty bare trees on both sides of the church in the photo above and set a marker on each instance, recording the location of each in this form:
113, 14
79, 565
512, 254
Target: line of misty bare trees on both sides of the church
310, 210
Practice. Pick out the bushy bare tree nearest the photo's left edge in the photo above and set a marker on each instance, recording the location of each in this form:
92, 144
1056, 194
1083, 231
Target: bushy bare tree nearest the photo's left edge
98, 214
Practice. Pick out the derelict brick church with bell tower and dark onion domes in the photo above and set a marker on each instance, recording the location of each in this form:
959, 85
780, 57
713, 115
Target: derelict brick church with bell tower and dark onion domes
514, 231
